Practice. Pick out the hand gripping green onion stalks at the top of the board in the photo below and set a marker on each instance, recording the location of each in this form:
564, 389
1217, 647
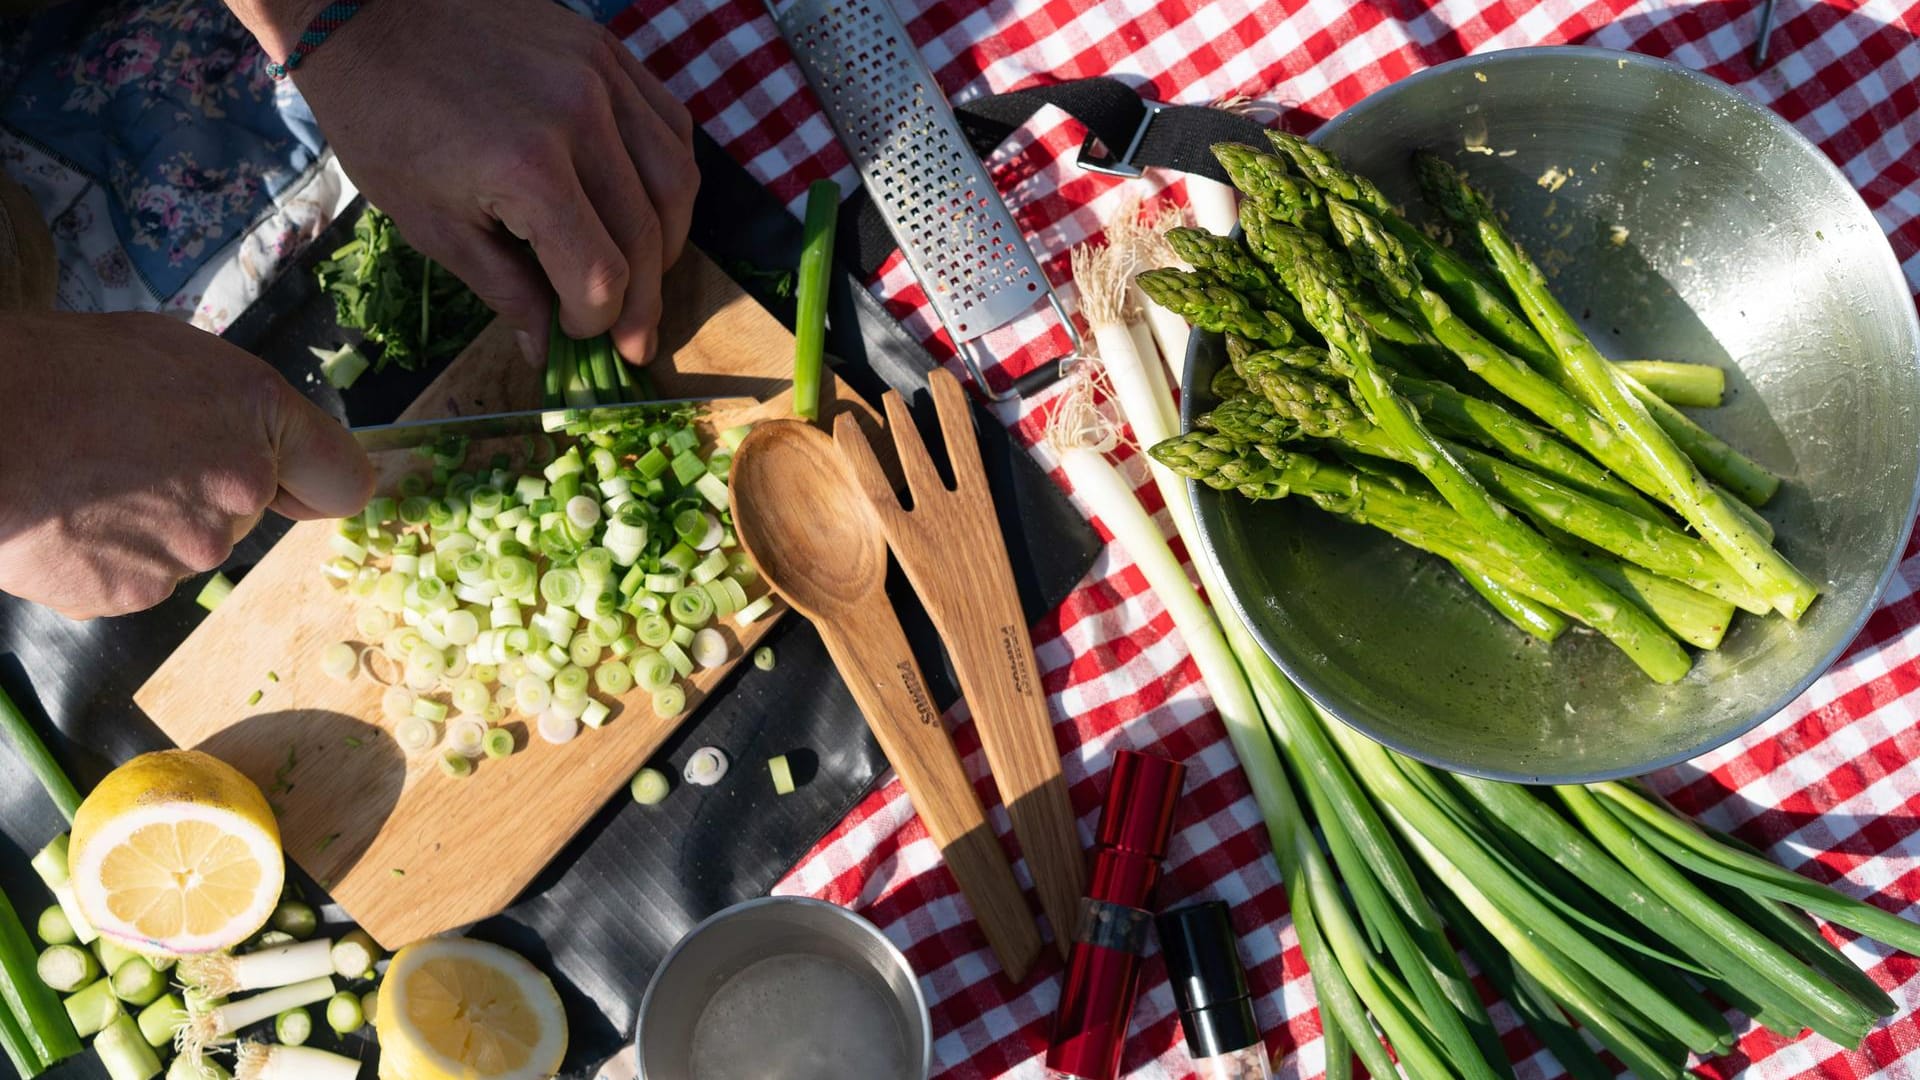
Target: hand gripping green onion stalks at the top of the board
519, 145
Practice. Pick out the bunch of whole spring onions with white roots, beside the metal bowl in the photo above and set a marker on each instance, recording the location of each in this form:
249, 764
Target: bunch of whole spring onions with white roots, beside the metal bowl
1610, 921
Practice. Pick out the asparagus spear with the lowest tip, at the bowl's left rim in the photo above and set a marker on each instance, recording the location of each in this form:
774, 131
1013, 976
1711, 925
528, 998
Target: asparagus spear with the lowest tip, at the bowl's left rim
1422, 520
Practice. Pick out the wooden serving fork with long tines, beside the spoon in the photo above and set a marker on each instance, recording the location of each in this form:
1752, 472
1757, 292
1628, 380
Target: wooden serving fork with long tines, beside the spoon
955, 558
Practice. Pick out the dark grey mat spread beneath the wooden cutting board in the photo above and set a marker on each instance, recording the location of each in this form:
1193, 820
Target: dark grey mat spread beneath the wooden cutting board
636, 879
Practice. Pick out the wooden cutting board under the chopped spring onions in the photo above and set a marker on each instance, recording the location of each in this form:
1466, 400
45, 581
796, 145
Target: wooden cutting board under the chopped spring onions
406, 850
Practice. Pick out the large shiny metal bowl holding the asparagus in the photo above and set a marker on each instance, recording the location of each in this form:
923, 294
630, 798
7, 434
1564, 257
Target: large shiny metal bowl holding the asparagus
1744, 249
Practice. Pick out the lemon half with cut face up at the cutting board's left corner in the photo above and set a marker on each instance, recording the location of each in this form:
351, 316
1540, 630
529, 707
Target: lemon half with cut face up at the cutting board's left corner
178, 854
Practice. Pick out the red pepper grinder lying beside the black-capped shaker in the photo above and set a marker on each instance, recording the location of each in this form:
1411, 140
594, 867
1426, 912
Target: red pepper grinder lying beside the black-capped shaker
1105, 968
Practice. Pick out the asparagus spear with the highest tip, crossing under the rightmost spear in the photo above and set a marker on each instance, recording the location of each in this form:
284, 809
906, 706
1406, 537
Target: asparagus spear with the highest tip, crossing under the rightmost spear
1472, 293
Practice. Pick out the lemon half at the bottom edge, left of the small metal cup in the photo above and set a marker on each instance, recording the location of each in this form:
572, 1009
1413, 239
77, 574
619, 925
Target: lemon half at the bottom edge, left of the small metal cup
458, 1010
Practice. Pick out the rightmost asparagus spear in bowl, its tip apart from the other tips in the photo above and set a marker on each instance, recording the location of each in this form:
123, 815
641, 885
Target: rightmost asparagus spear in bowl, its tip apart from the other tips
1702, 506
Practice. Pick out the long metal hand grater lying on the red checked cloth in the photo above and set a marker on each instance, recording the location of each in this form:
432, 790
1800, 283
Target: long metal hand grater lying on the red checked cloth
921, 172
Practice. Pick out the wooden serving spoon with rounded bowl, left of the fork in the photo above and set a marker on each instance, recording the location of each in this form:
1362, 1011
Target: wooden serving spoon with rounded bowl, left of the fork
815, 539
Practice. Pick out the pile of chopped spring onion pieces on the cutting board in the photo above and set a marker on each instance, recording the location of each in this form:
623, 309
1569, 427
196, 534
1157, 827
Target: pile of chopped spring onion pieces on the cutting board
548, 593
